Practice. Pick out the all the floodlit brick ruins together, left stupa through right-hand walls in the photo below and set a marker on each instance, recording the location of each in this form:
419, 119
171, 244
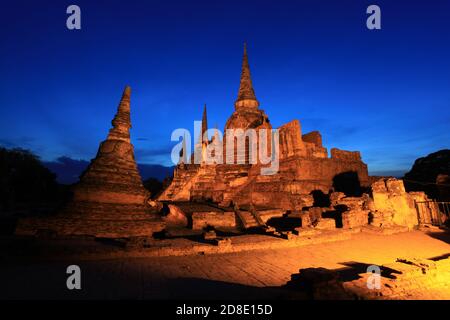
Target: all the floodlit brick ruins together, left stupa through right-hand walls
314, 192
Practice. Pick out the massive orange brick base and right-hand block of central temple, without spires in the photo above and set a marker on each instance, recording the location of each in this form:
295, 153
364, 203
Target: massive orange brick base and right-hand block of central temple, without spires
304, 167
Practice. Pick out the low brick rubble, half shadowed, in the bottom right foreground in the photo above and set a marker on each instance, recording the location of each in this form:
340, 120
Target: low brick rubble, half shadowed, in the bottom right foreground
404, 279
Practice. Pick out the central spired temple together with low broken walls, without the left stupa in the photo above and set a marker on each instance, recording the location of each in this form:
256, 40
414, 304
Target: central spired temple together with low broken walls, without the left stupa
311, 188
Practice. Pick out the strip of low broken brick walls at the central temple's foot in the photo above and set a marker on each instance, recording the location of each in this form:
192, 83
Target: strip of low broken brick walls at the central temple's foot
386, 208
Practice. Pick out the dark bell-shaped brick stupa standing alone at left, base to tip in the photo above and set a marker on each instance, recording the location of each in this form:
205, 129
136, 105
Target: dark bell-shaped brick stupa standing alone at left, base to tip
110, 199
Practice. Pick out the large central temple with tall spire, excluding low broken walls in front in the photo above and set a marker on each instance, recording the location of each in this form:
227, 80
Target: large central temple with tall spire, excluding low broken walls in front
305, 167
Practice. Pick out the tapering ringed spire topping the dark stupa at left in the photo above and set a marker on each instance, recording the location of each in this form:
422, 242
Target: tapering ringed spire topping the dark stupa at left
122, 122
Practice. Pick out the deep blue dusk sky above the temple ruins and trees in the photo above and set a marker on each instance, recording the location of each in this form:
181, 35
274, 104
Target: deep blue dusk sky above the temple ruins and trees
384, 92
